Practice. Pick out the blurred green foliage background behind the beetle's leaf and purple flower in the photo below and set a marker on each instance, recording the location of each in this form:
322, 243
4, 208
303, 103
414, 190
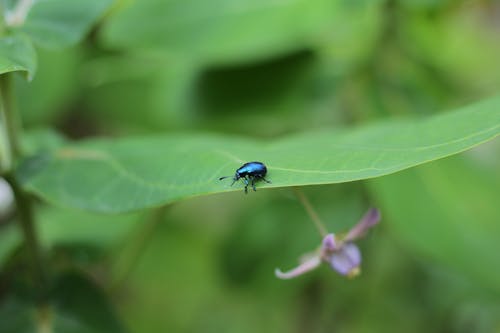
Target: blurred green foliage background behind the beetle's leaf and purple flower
265, 68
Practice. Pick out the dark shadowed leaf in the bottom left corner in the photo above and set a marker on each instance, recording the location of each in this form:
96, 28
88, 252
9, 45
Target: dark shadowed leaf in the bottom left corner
76, 306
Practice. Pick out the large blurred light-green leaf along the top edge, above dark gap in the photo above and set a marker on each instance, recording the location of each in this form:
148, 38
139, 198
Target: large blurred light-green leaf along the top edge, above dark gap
221, 30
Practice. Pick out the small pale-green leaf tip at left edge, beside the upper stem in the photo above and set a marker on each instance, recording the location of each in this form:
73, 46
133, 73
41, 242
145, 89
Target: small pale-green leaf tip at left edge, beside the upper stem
17, 54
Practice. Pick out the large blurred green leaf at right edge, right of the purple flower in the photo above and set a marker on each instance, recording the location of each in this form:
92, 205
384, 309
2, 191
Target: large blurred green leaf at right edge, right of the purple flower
448, 211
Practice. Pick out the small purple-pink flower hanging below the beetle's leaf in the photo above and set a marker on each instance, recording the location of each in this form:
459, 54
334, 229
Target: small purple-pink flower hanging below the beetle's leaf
339, 252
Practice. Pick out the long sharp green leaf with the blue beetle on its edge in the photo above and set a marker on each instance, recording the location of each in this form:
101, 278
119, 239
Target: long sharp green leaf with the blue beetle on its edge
119, 175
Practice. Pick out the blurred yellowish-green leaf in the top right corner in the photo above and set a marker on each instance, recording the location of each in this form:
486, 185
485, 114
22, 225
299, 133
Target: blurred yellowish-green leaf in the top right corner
463, 44
